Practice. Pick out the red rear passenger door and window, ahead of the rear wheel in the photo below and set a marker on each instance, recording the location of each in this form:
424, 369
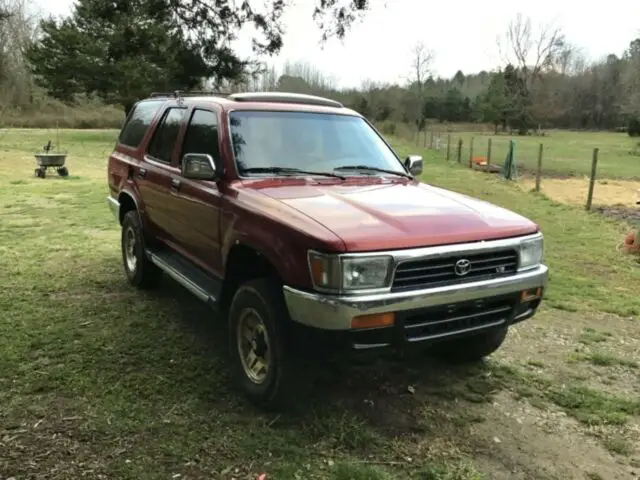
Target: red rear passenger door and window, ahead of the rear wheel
159, 167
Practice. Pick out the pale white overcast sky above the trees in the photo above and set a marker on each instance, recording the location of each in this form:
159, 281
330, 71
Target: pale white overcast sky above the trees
462, 34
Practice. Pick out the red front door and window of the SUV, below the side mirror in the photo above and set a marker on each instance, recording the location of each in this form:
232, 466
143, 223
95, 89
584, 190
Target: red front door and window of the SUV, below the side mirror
199, 200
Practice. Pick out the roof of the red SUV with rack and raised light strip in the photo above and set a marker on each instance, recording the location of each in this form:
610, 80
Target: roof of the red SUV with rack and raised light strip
229, 104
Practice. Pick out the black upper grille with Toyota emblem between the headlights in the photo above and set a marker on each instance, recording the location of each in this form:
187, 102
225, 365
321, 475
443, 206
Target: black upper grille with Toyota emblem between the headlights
441, 271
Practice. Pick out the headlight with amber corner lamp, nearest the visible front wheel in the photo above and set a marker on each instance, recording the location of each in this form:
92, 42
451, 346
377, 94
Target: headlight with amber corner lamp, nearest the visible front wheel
339, 273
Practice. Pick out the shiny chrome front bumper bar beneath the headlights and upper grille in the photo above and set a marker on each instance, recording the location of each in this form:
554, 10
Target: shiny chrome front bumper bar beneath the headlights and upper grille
333, 312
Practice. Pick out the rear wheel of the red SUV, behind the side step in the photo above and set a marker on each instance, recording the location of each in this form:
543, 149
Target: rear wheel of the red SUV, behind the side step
140, 271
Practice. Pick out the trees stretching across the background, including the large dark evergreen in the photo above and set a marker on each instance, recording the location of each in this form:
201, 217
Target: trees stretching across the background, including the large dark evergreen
119, 51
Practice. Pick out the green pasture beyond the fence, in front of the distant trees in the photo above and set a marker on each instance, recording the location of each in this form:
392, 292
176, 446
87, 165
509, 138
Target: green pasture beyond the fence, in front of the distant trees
564, 152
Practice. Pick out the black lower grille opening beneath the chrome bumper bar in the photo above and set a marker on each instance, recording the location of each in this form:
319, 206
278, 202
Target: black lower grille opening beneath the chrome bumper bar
448, 320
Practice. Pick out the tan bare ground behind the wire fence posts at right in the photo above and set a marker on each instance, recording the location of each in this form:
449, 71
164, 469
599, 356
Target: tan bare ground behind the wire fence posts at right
574, 191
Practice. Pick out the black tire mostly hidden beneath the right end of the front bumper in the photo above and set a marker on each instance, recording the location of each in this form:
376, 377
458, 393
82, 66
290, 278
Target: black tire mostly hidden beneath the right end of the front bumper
473, 348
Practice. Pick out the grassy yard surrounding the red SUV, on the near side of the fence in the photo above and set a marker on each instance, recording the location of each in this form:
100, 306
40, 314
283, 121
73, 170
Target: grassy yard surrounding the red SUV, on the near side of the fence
100, 381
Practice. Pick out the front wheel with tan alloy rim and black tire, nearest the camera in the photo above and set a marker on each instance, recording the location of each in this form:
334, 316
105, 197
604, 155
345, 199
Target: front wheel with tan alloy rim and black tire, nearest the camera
262, 360
